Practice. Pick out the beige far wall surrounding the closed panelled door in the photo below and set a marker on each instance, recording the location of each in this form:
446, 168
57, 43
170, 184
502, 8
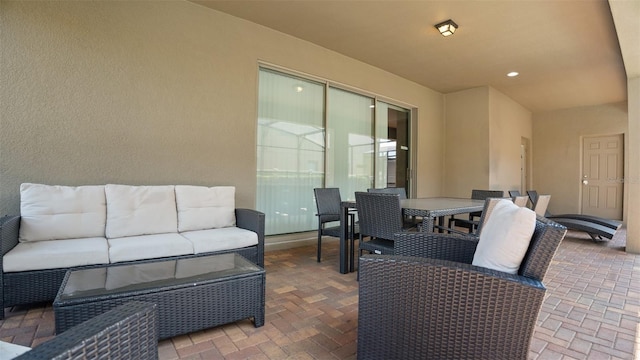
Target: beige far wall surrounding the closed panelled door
557, 144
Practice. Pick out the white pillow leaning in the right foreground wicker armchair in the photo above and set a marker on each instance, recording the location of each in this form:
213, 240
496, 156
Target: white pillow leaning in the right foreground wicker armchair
505, 237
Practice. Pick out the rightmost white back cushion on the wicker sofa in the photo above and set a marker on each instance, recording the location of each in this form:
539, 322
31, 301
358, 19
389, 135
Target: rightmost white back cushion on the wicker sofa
202, 207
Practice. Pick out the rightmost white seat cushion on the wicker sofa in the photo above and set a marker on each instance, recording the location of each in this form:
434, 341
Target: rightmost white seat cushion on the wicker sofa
220, 239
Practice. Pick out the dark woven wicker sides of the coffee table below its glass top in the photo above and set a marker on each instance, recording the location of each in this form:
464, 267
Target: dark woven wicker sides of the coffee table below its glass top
181, 309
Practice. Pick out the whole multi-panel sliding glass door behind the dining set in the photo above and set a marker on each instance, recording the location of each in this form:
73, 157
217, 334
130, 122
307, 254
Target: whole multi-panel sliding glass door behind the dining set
310, 135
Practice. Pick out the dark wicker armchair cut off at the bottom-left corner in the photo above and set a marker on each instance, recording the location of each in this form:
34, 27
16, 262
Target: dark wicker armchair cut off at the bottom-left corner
126, 332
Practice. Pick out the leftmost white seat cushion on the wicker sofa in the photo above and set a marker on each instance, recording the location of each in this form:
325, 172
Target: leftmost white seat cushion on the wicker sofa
54, 254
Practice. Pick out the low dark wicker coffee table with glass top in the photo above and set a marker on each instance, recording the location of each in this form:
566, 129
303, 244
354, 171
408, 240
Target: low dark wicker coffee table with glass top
191, 294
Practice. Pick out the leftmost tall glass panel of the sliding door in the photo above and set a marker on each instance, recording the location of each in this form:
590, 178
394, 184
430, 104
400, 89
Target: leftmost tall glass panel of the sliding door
290, 151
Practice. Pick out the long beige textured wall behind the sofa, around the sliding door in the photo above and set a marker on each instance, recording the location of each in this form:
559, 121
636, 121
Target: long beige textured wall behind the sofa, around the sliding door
164, 92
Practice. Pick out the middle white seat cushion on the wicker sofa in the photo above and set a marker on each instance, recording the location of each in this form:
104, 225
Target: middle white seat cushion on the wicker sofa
148, 247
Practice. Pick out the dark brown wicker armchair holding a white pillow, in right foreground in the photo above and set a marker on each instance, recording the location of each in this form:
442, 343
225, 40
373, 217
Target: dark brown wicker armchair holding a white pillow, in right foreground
434, 304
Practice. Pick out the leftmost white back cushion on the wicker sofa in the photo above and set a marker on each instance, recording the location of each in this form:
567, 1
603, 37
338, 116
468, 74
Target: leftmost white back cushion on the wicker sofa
52, 212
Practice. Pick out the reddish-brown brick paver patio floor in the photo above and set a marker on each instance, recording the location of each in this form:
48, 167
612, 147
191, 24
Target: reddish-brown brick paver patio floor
591, 310
